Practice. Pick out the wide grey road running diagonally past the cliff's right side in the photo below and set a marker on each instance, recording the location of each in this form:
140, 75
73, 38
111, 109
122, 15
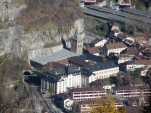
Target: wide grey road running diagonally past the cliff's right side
125, 16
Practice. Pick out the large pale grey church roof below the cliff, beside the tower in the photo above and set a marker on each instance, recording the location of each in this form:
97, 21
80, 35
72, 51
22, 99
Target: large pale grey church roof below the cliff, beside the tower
56, 56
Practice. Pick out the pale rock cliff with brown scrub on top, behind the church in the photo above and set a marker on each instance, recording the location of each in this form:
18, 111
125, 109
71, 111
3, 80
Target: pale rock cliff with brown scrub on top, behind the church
16, 39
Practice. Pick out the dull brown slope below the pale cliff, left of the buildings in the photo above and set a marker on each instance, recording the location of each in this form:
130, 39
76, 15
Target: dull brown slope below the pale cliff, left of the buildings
13, 93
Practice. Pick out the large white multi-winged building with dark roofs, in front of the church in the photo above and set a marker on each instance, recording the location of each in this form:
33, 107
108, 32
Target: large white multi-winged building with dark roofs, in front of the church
79, 73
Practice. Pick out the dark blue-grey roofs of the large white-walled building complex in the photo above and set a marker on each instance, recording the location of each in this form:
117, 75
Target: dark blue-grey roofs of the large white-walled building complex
55, 74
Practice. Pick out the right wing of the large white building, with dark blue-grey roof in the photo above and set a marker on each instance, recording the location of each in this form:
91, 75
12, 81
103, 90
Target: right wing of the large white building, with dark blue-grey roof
96, 67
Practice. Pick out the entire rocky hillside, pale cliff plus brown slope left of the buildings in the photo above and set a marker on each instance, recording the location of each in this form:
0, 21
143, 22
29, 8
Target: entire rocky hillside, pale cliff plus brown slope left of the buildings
18, 39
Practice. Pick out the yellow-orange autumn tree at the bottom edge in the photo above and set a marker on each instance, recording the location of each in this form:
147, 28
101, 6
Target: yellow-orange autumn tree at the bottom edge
107, 106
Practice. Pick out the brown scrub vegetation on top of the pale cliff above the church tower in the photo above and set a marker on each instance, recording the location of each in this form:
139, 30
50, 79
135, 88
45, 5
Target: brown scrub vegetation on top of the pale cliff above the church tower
47, 14
